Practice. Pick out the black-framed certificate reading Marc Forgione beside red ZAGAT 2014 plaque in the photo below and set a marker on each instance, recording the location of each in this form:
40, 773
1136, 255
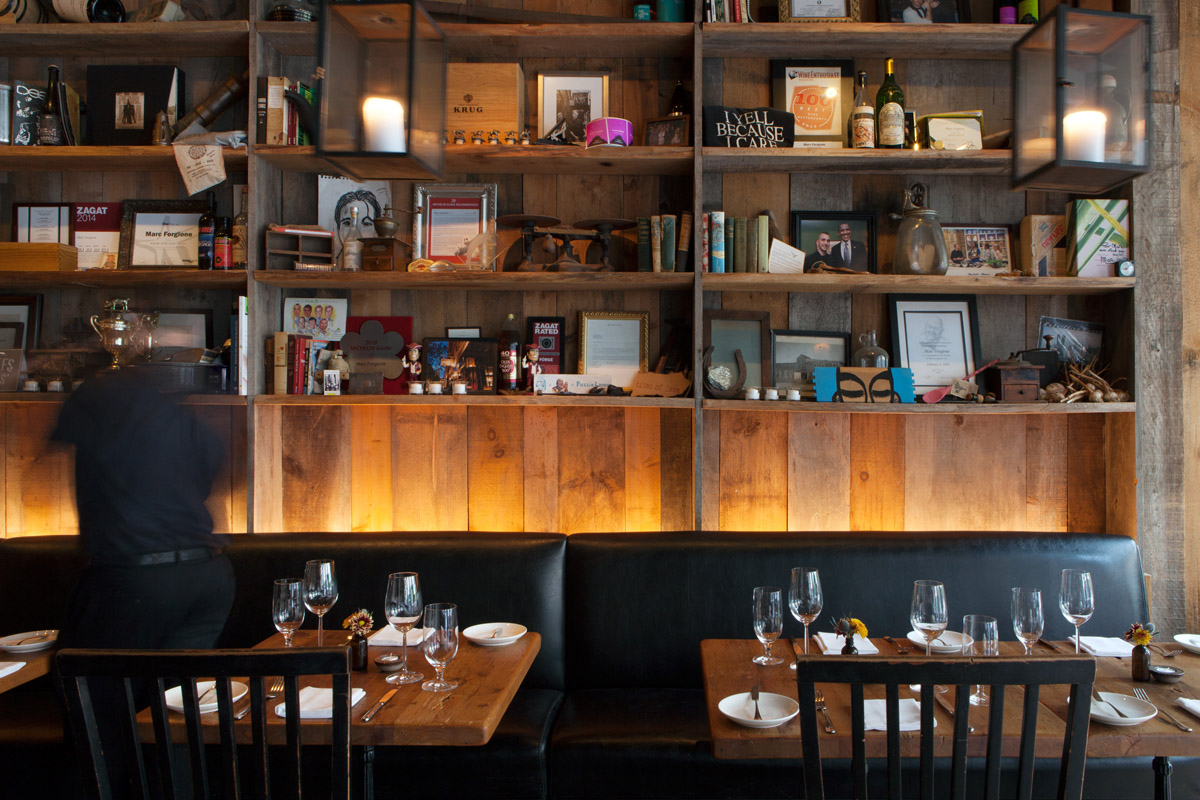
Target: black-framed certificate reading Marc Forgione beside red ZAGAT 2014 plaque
160, 234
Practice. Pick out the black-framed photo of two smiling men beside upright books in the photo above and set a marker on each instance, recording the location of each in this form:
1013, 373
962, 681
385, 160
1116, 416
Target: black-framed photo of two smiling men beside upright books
836, 242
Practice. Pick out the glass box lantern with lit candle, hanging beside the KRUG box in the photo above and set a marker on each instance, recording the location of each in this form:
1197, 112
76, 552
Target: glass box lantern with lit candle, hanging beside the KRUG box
383, 95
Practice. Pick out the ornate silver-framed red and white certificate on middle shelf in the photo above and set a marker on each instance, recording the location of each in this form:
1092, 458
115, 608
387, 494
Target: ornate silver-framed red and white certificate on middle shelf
448, 216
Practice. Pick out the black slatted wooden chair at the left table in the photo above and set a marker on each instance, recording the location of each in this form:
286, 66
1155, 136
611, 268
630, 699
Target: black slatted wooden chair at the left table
107, 682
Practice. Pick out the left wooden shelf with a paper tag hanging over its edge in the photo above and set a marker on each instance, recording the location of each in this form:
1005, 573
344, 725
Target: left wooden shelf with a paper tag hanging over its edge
107, 160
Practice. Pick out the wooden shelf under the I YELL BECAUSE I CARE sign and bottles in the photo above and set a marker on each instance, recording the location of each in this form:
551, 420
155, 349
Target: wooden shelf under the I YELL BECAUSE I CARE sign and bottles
791, 160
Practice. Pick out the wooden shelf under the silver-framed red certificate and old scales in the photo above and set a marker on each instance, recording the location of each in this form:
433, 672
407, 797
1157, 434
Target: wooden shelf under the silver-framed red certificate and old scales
487, 281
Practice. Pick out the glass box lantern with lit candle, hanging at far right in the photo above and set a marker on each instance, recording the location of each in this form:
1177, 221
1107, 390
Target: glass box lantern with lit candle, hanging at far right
1082, 103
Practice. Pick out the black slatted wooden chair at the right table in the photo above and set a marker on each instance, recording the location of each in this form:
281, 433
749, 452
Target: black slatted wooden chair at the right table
1078, 672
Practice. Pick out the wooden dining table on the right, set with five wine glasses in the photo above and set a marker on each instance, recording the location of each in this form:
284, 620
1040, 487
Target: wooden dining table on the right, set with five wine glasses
729, 670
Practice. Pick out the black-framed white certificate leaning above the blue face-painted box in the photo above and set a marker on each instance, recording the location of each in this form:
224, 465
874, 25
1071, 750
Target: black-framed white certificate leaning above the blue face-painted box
937, 336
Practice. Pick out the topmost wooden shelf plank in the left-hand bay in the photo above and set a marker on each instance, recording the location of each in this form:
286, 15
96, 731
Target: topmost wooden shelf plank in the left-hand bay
143, 40
